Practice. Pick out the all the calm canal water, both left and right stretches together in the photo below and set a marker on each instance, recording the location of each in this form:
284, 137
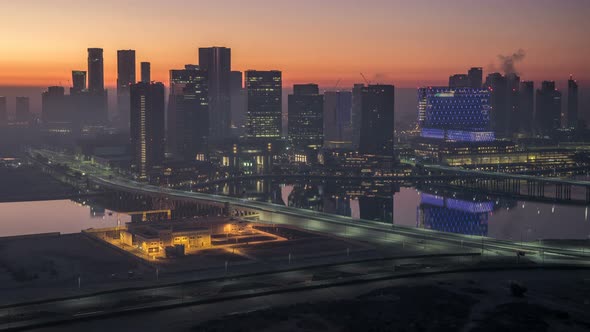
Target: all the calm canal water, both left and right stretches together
431, 208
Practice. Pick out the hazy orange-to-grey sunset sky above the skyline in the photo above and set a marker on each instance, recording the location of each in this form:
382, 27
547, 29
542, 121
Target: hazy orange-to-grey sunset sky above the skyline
408, 43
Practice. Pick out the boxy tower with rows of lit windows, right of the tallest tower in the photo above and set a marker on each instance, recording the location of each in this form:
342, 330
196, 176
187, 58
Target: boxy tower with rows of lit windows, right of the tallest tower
264, 89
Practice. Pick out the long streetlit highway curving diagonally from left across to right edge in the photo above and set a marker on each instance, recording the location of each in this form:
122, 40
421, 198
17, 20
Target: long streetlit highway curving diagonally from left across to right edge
377, 233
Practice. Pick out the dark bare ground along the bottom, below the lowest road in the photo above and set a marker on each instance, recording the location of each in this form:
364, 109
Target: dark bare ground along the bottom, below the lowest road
555, 301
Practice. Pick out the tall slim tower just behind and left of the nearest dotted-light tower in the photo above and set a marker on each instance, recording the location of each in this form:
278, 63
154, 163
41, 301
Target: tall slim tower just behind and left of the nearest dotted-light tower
125, 77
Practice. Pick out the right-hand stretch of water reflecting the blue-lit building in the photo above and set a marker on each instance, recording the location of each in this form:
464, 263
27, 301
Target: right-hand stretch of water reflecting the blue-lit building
436, 209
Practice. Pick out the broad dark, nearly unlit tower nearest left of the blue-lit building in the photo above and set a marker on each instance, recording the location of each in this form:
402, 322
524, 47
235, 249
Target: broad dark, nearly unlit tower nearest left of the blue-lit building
377, 127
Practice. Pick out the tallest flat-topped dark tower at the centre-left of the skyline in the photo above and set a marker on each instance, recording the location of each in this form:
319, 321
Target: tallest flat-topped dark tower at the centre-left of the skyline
217, 62
